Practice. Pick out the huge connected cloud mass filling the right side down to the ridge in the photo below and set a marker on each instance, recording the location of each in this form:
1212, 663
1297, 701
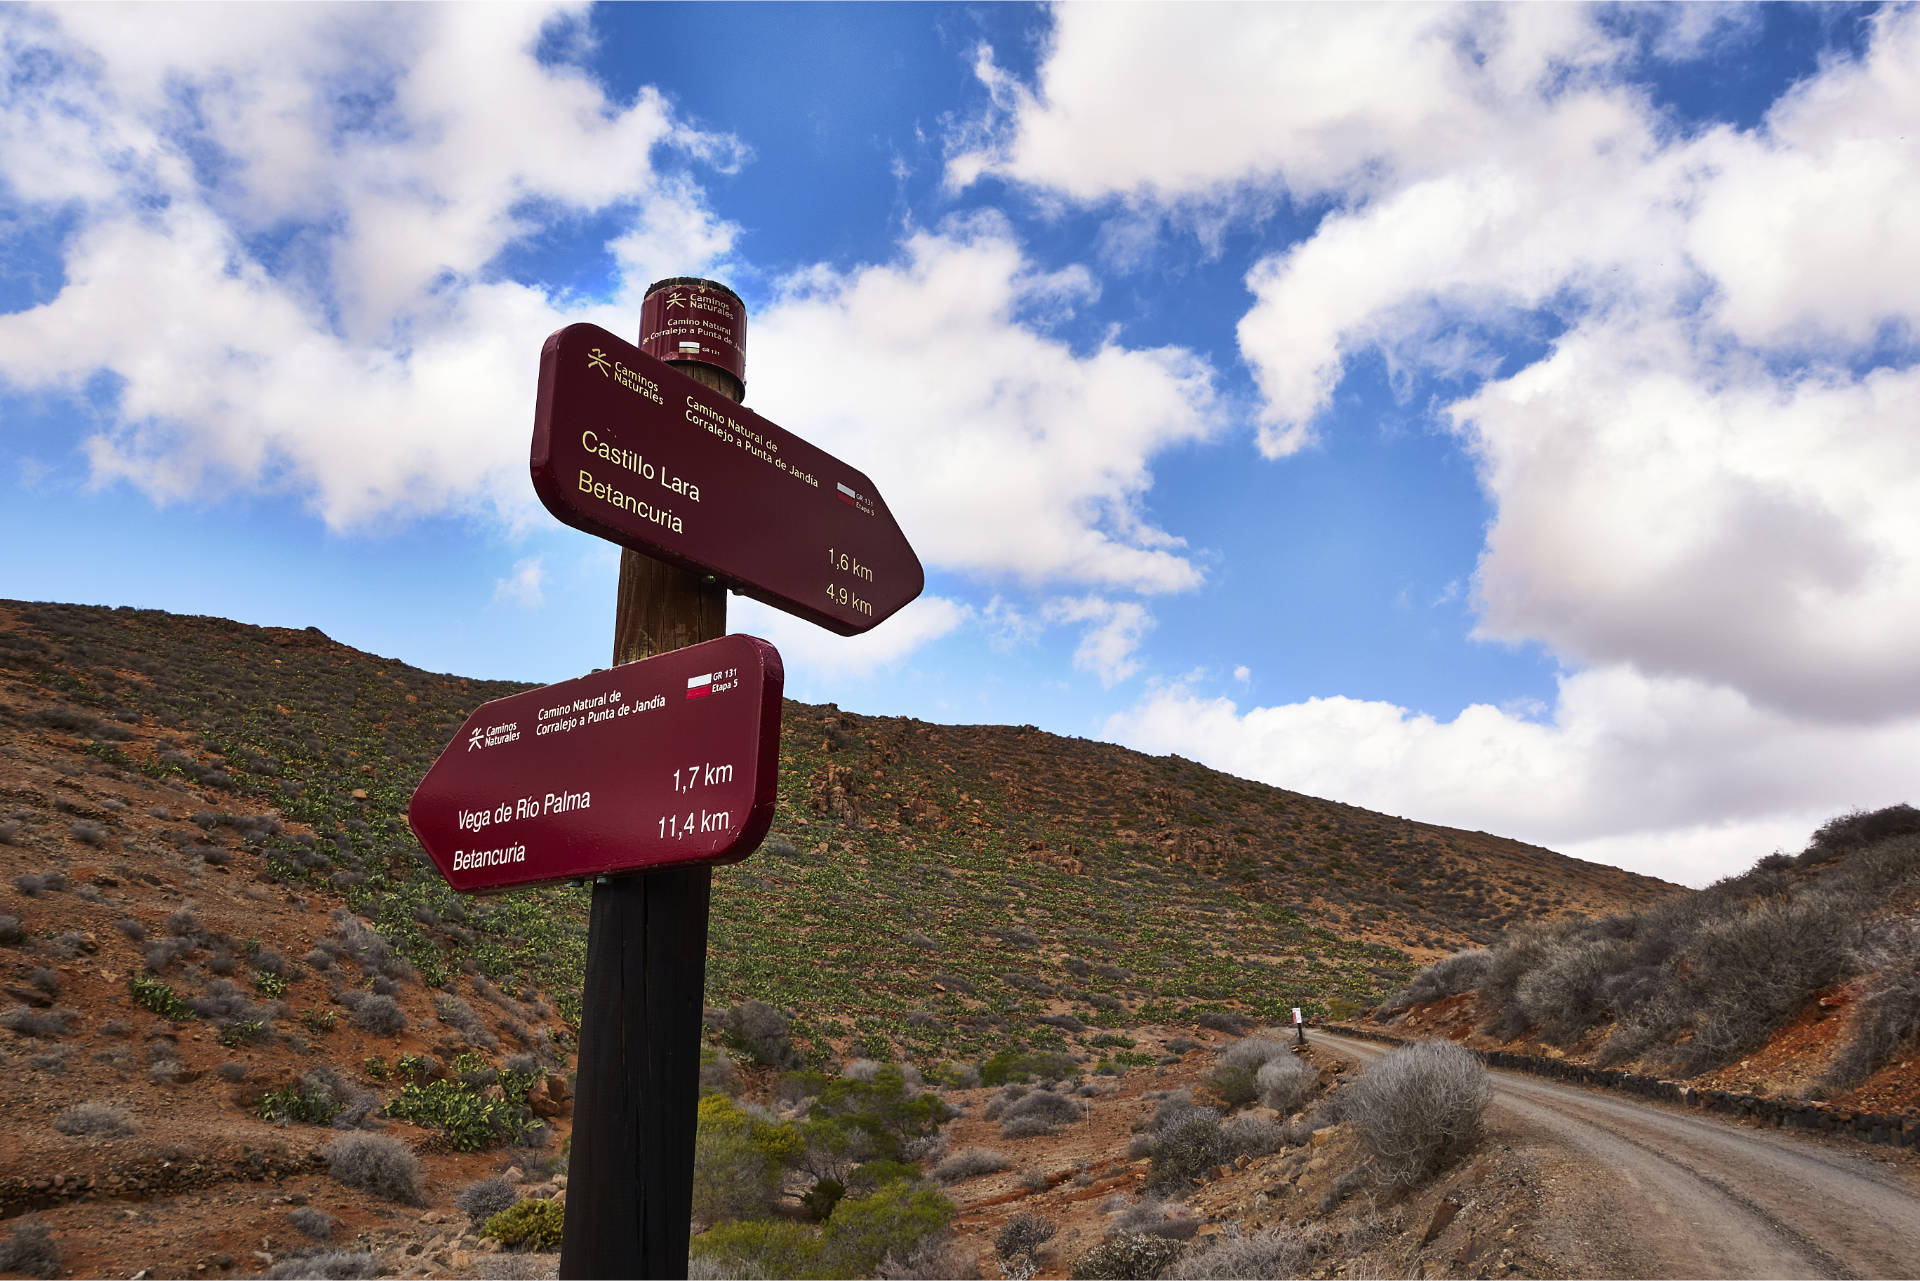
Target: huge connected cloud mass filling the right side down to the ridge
1687, 368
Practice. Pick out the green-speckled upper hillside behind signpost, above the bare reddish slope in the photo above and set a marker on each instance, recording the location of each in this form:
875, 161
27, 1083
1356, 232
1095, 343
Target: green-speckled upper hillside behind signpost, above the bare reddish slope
971, 879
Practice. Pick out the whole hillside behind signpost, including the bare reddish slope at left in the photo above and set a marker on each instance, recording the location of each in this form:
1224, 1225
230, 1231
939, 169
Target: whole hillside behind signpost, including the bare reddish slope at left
218, 936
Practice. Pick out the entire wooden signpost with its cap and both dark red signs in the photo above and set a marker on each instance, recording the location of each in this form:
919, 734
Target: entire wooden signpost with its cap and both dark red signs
650, 773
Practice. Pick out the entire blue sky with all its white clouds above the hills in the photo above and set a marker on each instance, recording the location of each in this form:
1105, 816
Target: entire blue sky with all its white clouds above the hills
1493, 416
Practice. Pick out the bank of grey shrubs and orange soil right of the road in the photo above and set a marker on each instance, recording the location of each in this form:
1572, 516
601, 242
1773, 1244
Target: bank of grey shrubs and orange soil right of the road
1796, 979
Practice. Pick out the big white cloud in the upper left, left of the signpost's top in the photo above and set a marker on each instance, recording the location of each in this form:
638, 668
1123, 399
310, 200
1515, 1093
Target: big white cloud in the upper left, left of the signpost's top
285, 228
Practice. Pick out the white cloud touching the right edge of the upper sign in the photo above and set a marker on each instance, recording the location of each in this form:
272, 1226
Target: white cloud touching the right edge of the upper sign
1001, 450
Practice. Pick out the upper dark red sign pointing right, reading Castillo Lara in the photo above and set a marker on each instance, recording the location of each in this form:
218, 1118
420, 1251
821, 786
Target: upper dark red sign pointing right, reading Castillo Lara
636, 452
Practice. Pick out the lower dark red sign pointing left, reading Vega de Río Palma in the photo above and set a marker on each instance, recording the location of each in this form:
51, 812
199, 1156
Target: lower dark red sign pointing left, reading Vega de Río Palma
648, 765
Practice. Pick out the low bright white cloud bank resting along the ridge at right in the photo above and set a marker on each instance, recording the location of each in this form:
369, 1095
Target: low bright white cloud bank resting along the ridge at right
1671, 777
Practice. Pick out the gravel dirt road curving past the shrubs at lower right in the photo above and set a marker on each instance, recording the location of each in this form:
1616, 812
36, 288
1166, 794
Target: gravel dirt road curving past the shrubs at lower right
1656, 1192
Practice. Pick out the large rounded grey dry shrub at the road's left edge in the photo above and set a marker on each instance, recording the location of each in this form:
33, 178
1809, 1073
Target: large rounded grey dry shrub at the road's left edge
1420, 1109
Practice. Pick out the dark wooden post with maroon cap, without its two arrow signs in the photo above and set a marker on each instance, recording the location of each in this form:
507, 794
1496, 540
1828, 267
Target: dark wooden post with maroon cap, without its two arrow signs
631, 1171
